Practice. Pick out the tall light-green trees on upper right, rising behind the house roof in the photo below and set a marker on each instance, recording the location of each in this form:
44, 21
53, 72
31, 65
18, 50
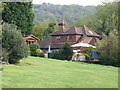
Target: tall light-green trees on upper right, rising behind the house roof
104, 20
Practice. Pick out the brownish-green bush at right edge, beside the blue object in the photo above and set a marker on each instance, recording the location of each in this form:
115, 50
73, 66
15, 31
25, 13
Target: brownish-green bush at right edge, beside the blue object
108, 47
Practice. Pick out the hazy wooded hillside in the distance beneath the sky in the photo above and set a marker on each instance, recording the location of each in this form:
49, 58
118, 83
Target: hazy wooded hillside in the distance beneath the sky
70, 13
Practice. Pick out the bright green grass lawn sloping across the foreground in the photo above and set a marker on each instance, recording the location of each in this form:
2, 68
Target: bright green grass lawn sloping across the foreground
35, 72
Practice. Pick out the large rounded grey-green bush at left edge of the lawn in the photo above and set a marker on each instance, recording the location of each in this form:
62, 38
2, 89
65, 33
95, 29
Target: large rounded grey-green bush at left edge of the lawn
13, 43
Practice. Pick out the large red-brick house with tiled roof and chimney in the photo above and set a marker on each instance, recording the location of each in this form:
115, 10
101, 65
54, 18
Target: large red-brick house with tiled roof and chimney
72, 35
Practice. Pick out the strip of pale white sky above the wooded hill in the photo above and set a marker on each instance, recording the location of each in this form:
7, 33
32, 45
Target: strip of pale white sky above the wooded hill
67, 2
